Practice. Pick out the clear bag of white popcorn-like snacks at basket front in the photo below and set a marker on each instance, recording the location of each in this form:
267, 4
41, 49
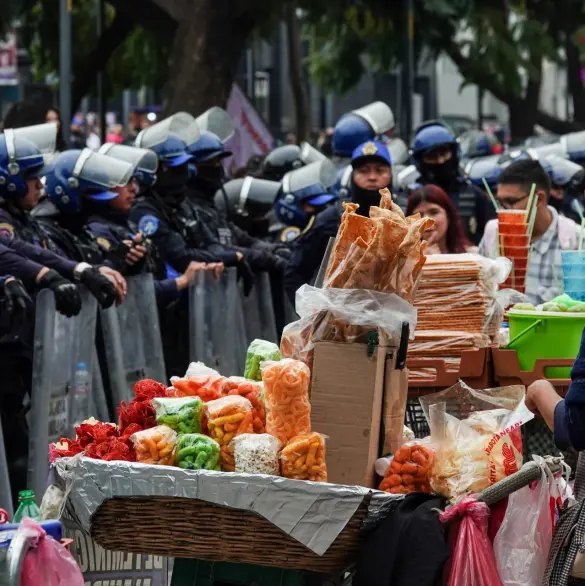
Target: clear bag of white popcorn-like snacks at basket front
257, 454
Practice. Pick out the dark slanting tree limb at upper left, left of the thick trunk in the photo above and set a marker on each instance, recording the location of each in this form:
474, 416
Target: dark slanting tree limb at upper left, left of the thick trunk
85, 73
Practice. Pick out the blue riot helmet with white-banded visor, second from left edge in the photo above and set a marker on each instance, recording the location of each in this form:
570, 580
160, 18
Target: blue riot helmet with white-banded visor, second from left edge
76, 174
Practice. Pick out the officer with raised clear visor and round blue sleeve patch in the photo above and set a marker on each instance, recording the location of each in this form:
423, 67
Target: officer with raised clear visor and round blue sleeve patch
160, 212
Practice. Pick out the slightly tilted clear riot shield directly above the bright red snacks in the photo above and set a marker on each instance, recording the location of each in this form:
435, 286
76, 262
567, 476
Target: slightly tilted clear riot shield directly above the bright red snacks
132, 339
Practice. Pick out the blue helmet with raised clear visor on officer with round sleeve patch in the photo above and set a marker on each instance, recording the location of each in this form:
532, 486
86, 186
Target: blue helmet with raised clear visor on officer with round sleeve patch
169, 138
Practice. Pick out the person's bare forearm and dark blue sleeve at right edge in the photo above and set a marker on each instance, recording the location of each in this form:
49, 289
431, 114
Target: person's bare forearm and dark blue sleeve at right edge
565, 417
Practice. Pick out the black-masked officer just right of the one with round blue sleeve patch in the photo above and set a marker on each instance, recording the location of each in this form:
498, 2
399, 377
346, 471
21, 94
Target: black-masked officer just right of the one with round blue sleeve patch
205, 181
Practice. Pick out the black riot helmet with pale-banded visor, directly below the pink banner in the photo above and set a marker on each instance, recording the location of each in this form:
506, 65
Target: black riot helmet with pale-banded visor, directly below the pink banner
247, 197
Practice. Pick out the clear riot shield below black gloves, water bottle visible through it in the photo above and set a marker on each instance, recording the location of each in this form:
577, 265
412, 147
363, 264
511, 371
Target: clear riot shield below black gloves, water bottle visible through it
60, 344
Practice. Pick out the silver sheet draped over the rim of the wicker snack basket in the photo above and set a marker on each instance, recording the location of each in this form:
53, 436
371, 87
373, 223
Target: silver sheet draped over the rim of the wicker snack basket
312, 513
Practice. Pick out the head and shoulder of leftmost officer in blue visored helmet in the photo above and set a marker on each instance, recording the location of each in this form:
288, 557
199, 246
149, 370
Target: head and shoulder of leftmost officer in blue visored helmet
22, 165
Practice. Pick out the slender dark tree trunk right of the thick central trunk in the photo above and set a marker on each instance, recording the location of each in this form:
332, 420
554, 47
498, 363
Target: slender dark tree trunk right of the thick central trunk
297, 79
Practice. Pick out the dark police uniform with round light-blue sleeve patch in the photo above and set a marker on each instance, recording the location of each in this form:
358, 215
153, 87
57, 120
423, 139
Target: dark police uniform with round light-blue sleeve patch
176, 234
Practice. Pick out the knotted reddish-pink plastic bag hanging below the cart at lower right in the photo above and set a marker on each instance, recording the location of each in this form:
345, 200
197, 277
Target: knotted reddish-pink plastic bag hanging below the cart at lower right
473, 562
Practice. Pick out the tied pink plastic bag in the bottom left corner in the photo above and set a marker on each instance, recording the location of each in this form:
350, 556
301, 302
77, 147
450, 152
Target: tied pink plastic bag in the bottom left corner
47, 563
